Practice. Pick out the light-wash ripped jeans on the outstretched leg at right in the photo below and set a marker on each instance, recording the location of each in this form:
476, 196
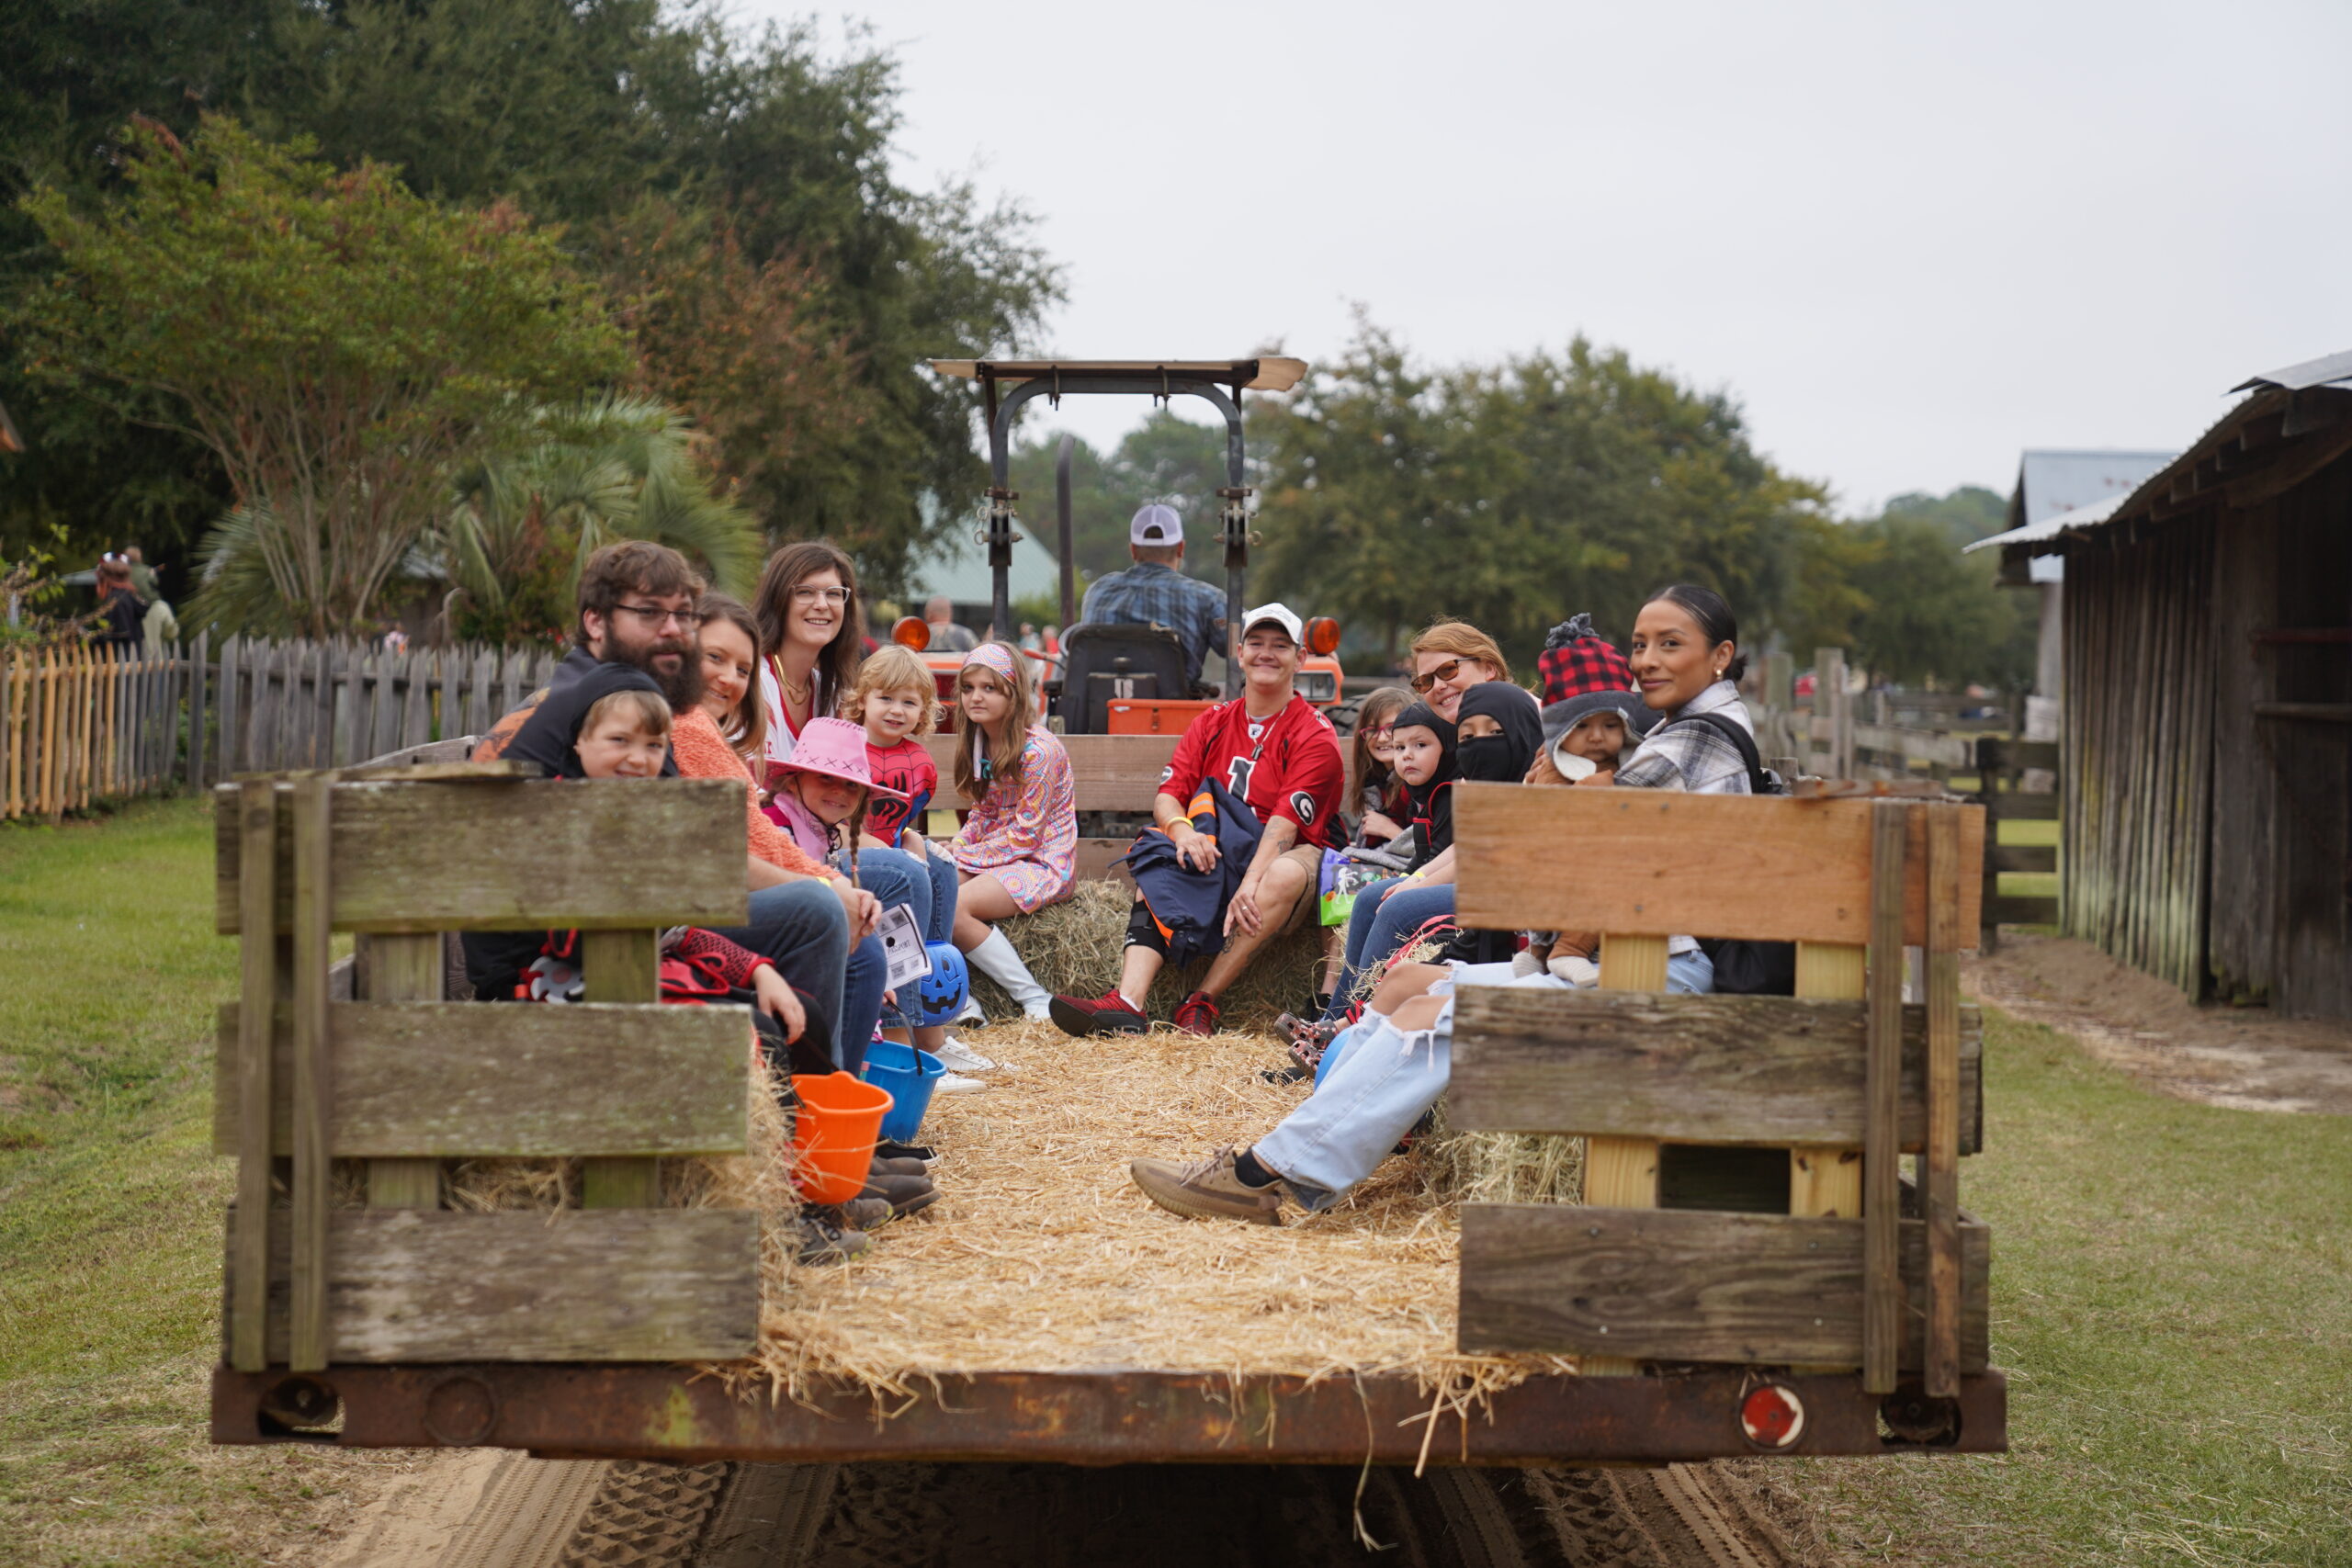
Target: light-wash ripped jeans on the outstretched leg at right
1384, 1080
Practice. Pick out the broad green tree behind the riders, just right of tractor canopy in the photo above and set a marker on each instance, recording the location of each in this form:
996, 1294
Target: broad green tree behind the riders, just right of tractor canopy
1518, 495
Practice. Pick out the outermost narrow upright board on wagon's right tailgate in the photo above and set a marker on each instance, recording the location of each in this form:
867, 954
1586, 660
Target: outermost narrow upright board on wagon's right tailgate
1946, 1113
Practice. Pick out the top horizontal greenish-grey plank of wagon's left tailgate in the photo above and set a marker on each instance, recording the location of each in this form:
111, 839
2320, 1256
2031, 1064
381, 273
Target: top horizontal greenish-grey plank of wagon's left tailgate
502, 857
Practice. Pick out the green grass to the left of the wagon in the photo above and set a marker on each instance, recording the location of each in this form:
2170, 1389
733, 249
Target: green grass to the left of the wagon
112, 1209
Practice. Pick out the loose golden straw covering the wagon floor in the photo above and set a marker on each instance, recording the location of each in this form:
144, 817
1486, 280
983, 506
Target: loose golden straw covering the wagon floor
1043, 1257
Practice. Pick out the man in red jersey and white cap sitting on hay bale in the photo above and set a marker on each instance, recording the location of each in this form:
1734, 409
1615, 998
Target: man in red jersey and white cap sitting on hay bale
1276, 756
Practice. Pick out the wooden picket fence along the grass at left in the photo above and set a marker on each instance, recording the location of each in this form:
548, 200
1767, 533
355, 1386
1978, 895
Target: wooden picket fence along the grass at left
88, 723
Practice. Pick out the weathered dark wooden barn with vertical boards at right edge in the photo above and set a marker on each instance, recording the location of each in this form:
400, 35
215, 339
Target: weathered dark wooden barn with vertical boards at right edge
2210, 706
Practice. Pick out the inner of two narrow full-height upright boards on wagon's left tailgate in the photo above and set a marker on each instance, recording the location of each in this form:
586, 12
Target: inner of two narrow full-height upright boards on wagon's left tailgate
314, 951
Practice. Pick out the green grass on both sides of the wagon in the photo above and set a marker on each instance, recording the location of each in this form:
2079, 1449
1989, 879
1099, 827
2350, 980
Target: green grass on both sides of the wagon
2170, 1280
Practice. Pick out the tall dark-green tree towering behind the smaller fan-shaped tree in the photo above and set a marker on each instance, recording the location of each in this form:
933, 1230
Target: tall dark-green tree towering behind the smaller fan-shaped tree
763, 149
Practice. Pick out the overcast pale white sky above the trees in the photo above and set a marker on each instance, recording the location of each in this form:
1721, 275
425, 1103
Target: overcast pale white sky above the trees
1911, 241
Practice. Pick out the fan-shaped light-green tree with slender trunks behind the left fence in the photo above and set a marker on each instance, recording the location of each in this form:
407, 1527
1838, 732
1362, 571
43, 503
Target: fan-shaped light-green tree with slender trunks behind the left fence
333, 340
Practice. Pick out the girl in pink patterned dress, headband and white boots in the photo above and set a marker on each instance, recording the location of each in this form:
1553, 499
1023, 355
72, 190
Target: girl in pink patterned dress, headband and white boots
1020, 850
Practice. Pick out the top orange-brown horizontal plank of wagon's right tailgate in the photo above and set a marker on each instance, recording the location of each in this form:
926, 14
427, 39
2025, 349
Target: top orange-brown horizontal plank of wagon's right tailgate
1657, 862
